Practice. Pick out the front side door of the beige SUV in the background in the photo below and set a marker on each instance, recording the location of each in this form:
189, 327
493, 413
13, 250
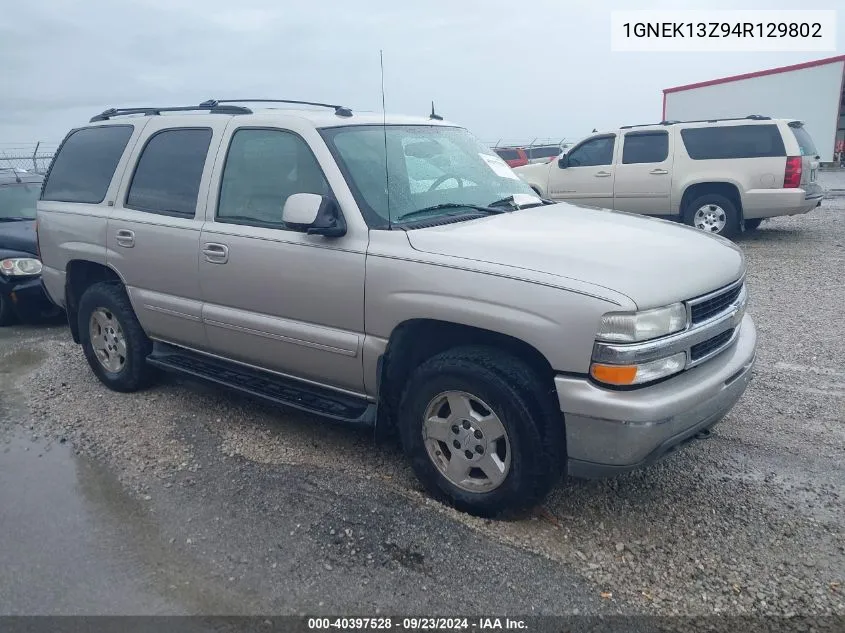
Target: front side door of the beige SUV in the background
585, 174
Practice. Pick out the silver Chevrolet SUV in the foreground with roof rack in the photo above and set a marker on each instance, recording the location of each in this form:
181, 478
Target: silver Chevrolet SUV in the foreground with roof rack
392, 272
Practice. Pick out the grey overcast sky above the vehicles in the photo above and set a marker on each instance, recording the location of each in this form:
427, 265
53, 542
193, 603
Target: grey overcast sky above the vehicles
514, 69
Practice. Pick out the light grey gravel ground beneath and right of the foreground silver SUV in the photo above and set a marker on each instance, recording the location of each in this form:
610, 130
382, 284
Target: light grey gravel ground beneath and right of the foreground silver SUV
749, 521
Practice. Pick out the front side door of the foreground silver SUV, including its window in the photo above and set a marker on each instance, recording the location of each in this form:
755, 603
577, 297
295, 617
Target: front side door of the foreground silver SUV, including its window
277, 298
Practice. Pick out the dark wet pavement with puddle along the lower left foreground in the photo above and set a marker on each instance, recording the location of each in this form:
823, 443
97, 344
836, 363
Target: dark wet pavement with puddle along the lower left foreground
236, 537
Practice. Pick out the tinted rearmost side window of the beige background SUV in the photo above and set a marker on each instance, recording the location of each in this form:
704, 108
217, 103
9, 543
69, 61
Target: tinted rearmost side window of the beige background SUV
733, 141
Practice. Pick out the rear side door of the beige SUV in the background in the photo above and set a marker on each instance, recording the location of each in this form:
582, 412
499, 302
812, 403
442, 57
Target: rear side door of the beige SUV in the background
643, 180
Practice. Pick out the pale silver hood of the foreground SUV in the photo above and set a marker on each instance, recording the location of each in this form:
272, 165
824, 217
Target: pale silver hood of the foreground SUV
654, 262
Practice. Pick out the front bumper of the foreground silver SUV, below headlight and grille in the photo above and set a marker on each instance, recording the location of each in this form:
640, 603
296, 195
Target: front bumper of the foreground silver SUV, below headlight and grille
611, 431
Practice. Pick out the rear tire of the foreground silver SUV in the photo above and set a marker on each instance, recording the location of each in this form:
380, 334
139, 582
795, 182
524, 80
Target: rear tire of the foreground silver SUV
108, 299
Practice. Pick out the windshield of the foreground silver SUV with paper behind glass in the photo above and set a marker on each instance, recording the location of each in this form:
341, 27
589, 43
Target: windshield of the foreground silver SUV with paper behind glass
427, 166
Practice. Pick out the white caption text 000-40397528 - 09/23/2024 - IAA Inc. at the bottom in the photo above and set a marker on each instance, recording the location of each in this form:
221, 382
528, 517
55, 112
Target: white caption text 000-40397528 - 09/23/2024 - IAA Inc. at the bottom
418, 624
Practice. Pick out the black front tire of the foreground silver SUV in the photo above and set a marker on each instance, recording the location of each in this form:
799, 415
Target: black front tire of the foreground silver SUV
510, 391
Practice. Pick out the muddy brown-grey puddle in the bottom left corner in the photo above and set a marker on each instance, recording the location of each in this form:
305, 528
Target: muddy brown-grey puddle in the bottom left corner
72, 541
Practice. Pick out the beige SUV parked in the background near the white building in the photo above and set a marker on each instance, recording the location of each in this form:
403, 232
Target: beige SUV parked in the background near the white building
717, 175
